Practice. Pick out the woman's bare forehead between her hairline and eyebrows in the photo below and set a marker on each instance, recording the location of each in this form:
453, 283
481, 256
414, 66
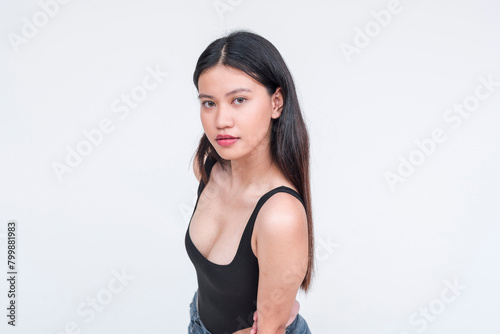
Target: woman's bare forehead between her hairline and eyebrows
222, 79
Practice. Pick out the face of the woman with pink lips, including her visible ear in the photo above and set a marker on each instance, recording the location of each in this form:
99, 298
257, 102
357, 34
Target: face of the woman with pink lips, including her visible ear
235, 104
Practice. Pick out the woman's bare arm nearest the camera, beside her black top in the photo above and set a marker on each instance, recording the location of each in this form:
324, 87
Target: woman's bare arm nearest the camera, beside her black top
282, 252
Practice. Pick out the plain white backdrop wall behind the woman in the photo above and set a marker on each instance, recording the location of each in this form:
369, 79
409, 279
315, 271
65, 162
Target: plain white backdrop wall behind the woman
100, 121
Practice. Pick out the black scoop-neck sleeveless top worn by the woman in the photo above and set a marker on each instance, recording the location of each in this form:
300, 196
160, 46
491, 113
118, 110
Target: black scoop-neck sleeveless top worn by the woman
227, 294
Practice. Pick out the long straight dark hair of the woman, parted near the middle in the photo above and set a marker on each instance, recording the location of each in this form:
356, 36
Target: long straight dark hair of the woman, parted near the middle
289, 142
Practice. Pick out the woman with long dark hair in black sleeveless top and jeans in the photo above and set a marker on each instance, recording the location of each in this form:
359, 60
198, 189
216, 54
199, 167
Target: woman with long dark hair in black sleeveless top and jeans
250, 236
